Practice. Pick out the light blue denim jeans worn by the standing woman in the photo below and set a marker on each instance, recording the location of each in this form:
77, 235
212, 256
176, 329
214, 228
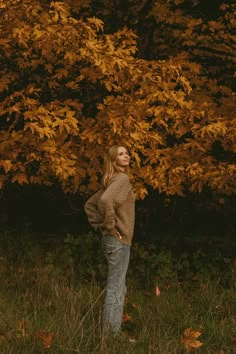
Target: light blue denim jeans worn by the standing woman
117, 255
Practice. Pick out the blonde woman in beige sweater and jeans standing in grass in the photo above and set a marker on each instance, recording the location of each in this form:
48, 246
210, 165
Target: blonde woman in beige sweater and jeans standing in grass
111, 210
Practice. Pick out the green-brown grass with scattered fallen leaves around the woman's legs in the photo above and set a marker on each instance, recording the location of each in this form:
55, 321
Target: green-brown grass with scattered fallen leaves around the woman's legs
50, 305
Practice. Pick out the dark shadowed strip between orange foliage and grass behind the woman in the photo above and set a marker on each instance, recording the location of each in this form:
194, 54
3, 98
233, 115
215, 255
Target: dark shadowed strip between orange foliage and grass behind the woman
50, 211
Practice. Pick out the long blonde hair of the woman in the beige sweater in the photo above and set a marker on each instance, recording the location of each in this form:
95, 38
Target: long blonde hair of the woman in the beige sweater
110, 167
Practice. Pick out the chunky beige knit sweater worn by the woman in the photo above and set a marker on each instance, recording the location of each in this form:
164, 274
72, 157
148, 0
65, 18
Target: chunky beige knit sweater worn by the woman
112, 209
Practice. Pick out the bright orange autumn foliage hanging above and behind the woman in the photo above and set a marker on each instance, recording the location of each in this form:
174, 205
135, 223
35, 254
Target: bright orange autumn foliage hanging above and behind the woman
69, 90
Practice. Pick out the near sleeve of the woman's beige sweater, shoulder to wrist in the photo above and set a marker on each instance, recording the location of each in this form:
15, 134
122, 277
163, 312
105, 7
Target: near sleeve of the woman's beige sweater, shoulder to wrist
114, 196
